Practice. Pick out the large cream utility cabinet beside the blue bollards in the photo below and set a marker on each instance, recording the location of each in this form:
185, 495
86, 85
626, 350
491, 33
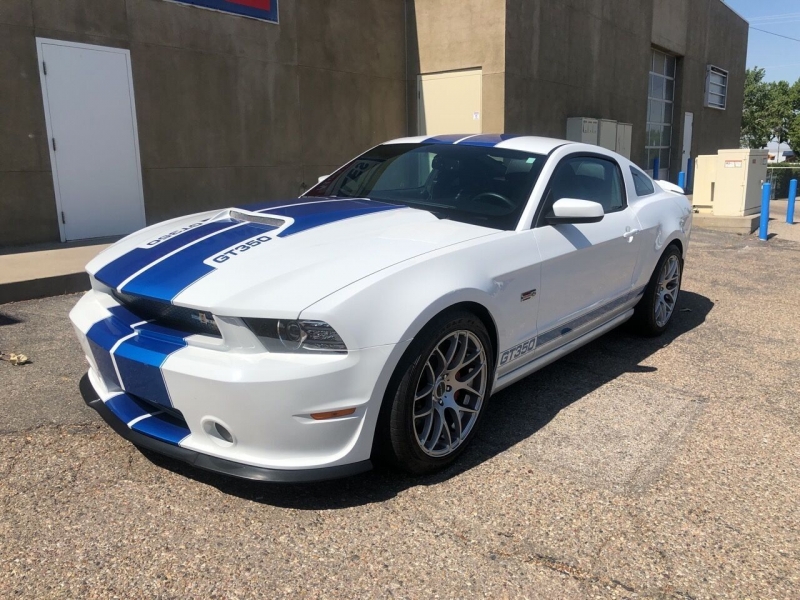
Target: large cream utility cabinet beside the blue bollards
729, 184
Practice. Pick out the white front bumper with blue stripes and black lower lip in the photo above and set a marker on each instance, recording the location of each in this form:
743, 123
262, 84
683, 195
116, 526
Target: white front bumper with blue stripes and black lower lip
167, 391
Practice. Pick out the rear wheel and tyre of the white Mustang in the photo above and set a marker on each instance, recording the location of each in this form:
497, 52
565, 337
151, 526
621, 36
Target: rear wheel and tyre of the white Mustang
654, 312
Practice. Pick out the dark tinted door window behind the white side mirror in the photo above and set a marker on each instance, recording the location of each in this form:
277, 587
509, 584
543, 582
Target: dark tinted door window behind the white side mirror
588, 178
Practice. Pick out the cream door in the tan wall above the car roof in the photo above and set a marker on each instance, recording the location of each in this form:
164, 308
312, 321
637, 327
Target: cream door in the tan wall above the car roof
450, 103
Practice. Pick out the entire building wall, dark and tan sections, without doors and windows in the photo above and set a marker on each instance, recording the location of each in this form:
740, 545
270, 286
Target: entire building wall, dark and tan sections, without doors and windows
232, 110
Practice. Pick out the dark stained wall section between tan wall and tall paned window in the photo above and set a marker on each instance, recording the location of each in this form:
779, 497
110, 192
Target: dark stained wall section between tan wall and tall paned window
577, 59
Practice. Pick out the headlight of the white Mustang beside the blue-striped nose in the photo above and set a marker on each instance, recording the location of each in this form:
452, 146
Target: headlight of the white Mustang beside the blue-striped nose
296, 336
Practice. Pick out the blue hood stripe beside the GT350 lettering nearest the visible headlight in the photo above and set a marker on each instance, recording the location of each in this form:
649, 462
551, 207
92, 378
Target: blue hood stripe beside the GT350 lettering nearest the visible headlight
165, 280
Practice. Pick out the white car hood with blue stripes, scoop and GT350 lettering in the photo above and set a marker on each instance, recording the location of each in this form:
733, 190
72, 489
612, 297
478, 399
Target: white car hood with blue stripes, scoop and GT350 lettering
274, 259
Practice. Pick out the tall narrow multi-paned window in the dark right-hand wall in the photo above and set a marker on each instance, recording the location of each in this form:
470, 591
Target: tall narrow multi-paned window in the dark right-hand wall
660, 97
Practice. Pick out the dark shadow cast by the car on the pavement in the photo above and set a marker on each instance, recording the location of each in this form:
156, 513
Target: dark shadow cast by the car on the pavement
513, 415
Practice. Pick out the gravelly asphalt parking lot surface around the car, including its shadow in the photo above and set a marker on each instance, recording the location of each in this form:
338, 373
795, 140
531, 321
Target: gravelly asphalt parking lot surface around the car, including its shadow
633, 468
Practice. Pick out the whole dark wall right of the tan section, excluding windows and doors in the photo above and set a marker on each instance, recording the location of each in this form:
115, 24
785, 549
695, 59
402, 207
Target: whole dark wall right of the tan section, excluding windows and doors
592, 59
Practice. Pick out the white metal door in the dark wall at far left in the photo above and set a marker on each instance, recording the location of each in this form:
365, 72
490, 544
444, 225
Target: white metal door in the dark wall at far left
94, 148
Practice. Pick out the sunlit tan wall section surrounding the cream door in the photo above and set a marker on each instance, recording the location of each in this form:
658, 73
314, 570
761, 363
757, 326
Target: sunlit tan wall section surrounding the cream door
450, 35
